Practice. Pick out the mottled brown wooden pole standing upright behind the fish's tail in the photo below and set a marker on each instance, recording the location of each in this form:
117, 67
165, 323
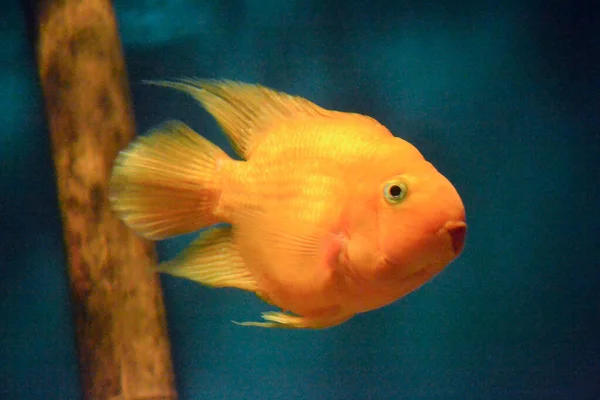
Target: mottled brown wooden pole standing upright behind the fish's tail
119, 314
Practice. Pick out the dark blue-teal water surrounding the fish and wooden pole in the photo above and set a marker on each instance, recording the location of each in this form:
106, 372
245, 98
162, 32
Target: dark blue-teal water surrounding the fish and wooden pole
503, 97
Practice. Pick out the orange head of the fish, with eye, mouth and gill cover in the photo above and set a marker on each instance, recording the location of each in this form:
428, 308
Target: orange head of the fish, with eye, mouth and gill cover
417, 224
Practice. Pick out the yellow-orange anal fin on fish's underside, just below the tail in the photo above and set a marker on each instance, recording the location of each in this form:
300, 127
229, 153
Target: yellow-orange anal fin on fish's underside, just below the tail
212, 260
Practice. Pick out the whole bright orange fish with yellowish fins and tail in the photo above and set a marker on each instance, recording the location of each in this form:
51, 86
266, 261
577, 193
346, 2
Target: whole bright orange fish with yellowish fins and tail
328, 215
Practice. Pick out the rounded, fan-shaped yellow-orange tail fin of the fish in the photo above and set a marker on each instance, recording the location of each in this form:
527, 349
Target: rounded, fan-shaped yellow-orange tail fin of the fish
167, 184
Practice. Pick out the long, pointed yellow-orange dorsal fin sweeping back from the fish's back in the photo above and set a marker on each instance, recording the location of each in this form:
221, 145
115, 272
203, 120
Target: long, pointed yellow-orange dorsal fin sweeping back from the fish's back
244, 111
